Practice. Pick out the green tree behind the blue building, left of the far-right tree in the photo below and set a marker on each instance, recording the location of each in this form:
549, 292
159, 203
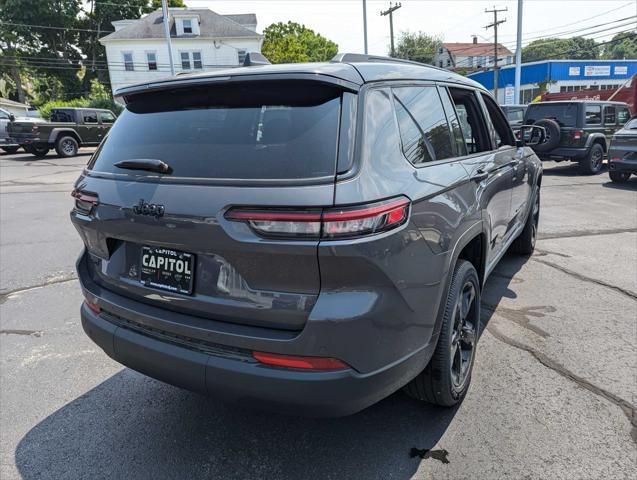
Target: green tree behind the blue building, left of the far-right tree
576, 48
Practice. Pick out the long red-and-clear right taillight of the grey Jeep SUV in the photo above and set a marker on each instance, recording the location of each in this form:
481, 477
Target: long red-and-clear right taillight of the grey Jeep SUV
328, 223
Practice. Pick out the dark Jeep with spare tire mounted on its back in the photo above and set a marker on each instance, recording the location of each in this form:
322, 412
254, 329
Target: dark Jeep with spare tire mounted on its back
578, 130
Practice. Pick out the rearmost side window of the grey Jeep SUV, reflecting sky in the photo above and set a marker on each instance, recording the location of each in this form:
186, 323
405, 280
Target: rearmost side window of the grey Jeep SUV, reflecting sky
424, 131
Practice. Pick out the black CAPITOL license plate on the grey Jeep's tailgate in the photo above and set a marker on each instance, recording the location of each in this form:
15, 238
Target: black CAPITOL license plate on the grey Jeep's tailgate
167, 269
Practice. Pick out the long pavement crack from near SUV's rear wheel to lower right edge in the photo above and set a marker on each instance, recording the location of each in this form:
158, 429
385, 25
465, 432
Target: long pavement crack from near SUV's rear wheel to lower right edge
626, 407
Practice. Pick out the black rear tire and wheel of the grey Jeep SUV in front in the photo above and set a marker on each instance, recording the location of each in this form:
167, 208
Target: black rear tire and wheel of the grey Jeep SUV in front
442, 382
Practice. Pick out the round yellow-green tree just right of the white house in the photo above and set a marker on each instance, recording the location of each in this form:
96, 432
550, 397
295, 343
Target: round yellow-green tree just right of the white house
293, 43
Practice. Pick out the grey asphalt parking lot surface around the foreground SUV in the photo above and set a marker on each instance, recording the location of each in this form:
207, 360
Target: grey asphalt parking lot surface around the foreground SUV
553, 394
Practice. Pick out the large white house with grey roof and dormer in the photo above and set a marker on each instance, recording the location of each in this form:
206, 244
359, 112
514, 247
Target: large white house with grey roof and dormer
201, 40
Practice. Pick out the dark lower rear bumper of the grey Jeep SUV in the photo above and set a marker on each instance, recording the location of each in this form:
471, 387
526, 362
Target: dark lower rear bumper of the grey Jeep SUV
246, 382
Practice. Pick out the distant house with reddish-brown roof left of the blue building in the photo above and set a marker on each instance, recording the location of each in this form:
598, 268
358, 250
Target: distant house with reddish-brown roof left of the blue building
470, 56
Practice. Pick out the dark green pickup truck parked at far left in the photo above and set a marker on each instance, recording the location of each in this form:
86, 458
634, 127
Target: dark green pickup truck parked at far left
68, 130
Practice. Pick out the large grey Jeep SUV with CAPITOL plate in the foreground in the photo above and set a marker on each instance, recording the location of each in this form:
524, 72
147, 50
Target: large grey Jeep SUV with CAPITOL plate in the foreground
307, 238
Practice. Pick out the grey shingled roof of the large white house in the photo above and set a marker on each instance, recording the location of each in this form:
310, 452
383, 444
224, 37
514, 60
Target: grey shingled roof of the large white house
211, 25
